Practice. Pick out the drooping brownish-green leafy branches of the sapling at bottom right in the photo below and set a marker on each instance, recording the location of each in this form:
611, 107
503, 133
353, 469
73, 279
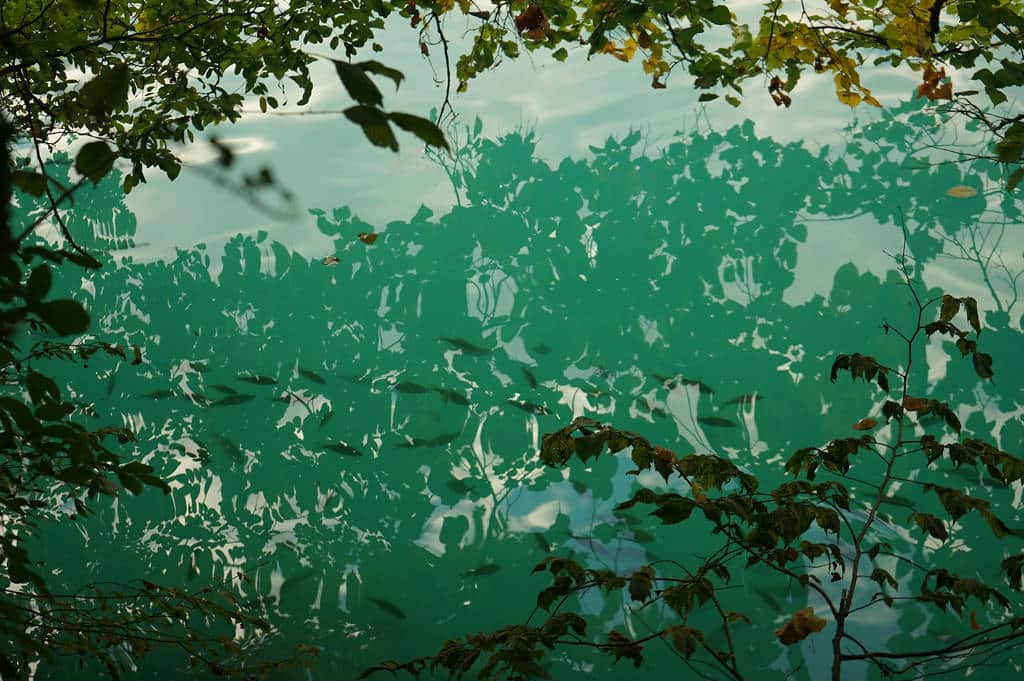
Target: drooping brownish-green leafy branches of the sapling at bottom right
823, 535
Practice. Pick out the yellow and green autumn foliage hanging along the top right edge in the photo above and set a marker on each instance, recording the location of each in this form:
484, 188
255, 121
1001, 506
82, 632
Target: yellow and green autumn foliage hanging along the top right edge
724, 47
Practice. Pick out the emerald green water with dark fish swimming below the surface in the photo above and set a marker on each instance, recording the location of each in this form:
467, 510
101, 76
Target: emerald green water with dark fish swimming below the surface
385, 448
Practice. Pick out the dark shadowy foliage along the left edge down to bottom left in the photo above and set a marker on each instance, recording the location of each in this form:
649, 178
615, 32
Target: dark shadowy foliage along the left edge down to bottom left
52, 466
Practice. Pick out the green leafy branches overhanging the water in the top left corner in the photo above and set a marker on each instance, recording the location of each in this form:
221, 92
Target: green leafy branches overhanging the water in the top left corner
136, 76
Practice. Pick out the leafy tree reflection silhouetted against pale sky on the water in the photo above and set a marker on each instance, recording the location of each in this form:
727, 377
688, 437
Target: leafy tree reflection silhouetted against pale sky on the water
645, 289
